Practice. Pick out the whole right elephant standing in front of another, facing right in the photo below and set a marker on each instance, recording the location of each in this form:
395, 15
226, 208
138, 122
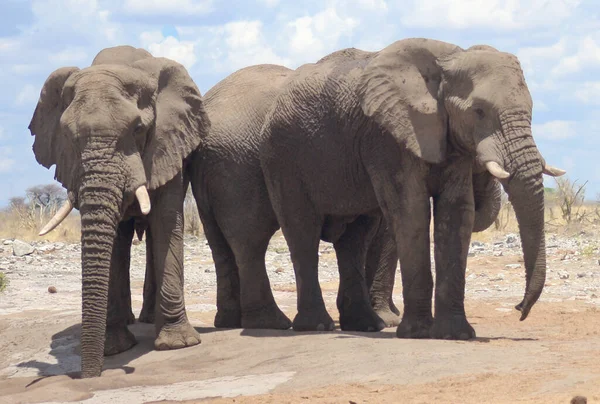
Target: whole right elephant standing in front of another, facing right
398, 130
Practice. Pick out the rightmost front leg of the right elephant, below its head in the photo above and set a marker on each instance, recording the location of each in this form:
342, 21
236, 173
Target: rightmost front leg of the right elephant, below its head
453, 224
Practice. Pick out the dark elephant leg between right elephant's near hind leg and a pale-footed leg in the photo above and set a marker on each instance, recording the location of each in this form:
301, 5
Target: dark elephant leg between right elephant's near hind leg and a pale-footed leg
356, 313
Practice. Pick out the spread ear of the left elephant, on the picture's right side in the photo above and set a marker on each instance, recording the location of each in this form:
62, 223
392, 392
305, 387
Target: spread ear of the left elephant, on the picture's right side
180, 123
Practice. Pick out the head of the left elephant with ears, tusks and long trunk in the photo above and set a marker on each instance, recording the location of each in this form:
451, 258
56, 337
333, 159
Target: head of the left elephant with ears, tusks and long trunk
114, 130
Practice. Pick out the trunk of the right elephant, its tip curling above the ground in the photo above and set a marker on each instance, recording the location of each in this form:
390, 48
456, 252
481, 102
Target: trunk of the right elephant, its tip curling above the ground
526, 193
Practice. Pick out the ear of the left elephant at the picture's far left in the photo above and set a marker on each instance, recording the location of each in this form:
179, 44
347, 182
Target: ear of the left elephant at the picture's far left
51, 145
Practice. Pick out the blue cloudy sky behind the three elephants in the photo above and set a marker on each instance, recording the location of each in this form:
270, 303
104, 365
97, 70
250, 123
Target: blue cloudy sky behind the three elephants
557, 42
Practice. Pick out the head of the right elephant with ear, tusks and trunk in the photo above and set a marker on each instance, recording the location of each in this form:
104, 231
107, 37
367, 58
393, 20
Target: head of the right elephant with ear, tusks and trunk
437, 99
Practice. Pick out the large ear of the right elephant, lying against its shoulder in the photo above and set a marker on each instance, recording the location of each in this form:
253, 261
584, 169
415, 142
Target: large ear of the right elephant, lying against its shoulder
399, 90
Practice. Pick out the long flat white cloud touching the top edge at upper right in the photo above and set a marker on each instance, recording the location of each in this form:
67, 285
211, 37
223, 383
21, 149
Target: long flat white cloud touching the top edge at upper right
492, 14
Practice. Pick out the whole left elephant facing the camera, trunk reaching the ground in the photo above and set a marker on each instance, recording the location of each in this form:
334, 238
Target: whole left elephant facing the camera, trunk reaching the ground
120, 133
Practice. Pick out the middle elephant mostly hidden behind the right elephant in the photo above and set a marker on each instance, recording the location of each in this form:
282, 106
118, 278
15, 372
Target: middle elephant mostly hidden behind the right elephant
239, 221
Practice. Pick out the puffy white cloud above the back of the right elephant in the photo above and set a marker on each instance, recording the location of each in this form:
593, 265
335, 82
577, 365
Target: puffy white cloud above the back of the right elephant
312, 37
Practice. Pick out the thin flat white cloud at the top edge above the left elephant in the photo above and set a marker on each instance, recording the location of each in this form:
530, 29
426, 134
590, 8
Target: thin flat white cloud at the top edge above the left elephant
169, 7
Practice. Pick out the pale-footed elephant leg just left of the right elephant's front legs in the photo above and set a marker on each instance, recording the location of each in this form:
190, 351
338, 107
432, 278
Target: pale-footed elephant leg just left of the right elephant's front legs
382, 260
